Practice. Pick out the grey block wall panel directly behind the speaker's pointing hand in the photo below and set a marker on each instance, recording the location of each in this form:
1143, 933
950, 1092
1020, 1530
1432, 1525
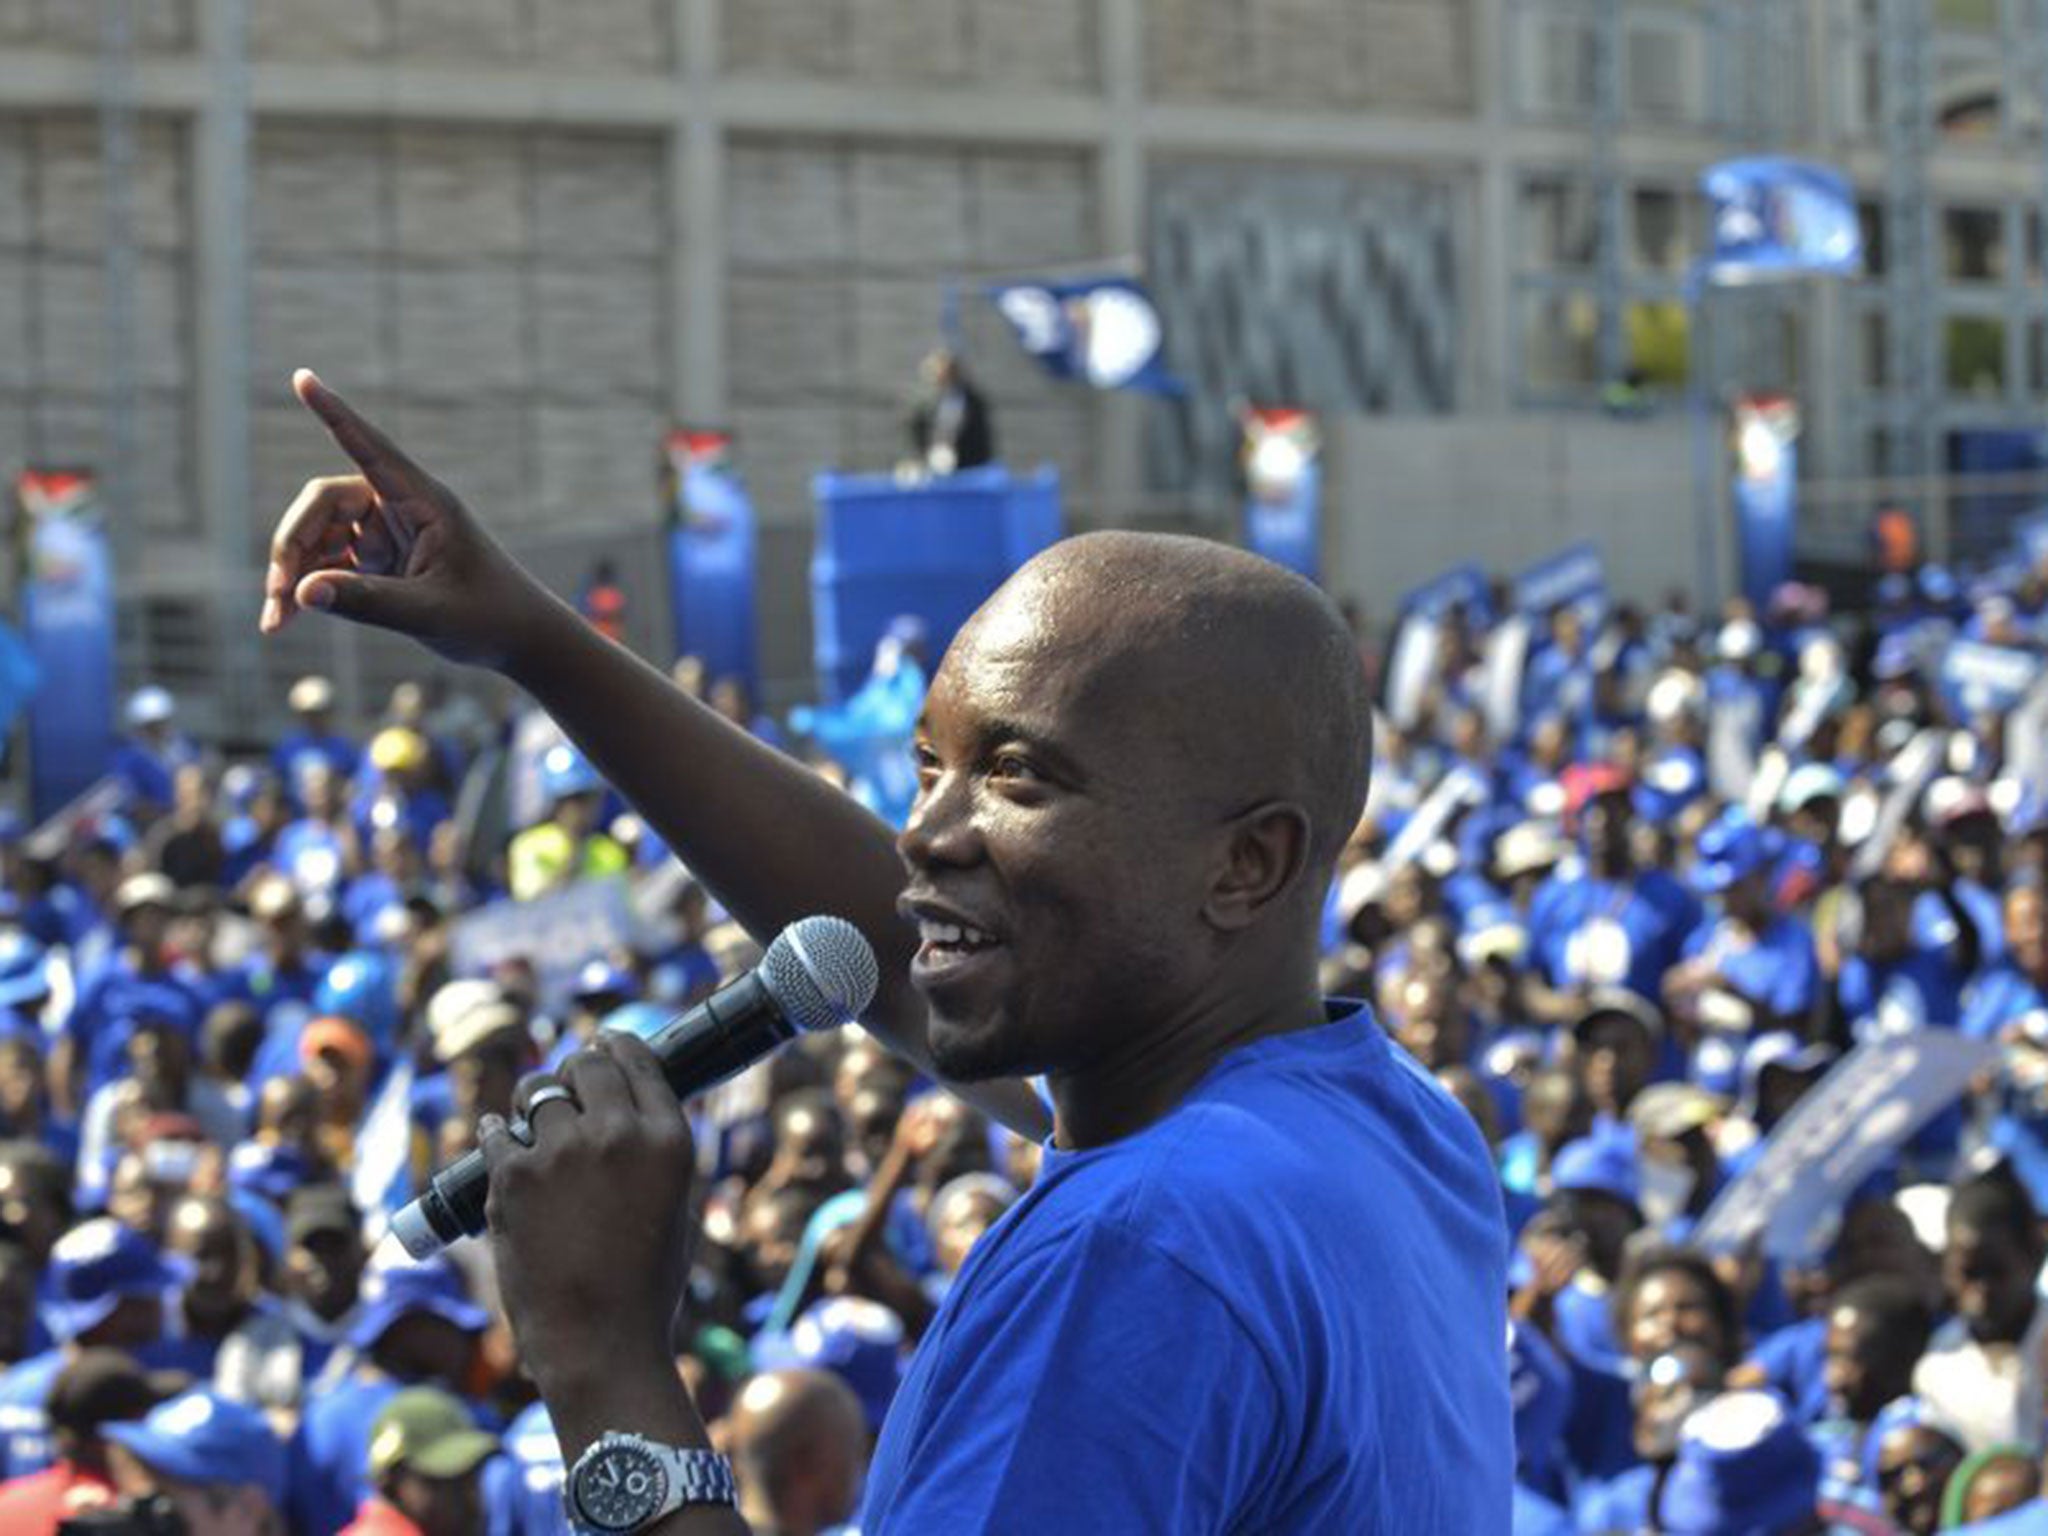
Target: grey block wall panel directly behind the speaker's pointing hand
499, 298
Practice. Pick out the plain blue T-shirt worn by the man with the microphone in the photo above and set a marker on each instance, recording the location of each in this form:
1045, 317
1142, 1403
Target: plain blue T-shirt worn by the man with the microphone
1281, 1308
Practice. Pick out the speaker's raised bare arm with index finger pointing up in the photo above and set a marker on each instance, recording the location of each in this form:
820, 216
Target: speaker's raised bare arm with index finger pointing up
394, 548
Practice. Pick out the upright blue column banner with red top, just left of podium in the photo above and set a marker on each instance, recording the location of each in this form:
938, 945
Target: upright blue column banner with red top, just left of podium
712, 552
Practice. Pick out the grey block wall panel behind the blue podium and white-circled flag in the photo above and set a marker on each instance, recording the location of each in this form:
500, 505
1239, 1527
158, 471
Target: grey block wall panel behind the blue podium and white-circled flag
839, 259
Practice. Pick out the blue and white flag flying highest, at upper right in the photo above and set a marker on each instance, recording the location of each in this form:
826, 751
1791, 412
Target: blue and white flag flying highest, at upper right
1781, 218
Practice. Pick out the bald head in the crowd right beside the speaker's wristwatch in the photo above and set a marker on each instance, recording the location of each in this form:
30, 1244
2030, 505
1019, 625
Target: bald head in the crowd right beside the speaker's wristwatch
800, 1445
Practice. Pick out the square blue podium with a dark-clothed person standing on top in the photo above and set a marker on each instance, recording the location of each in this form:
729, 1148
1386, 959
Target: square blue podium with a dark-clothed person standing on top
933, 550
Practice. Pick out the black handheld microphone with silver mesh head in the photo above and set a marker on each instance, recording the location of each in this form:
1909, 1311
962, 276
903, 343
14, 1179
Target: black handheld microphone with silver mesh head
818, 974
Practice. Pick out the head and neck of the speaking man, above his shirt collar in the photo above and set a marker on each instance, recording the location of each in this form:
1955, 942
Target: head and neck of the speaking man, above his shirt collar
1136, 771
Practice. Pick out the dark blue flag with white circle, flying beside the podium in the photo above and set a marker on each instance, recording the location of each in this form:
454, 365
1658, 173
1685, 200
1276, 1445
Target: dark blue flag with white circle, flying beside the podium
1097, 331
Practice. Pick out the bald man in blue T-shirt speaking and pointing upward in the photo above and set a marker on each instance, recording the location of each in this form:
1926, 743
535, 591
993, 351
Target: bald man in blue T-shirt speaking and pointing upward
1261, 1281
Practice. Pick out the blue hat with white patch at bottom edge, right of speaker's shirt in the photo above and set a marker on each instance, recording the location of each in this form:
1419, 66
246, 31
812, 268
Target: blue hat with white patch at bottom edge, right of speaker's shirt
1744, 1469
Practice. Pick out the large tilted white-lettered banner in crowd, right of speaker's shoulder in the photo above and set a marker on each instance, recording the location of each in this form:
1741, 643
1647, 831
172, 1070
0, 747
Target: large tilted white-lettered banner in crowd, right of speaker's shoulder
1840, 1134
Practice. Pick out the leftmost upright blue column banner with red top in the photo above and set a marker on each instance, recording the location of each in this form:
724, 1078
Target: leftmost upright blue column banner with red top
69, 617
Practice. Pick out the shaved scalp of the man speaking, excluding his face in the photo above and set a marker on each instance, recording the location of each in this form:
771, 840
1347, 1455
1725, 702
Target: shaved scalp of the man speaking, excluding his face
1242, 669
